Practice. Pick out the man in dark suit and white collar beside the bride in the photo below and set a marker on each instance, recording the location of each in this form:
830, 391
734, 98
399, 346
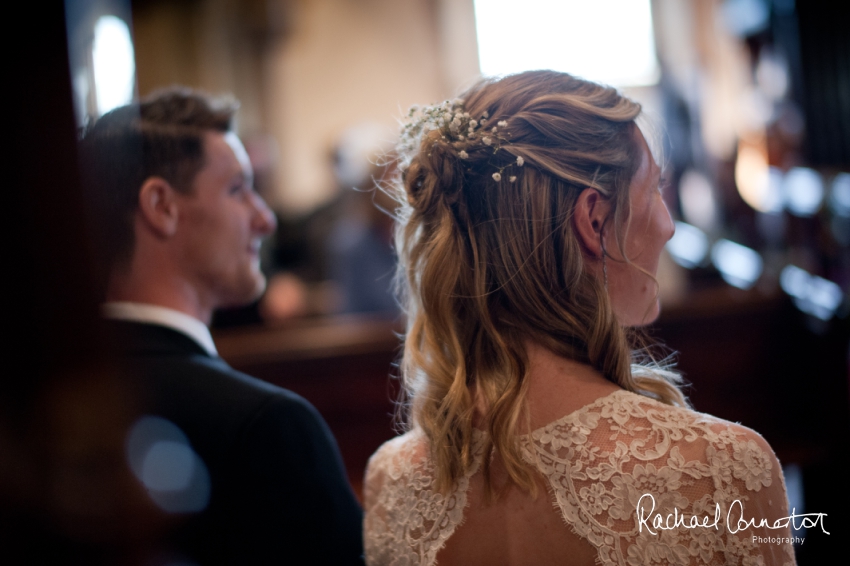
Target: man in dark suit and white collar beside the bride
180, 228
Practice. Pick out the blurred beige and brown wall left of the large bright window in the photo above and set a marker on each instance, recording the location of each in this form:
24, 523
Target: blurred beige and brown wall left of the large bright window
305, 70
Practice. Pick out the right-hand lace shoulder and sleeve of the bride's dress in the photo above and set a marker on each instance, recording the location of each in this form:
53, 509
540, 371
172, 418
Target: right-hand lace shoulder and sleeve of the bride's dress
647, 483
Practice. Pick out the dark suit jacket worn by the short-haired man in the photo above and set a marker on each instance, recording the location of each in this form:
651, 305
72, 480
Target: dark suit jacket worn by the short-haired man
279, 493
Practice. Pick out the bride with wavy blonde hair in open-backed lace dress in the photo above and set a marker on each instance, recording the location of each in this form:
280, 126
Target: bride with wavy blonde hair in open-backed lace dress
530, 228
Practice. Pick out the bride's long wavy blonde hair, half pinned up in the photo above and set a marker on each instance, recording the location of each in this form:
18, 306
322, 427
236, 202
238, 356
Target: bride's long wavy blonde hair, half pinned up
489, 258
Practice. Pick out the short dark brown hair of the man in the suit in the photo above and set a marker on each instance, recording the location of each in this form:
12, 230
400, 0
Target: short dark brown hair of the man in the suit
162, 135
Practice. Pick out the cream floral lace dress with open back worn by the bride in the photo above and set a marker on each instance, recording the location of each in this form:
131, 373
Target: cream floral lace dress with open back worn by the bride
602, 462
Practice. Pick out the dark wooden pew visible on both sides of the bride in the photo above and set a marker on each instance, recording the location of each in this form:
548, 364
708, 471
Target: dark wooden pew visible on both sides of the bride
749, 357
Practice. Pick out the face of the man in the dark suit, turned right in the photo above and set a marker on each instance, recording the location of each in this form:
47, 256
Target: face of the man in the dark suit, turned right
221, 224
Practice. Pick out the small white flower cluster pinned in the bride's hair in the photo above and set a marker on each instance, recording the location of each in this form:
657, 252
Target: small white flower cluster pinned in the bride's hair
456, 127
